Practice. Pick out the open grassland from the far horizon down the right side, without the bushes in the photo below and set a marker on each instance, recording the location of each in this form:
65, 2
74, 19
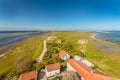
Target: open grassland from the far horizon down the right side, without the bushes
106, 60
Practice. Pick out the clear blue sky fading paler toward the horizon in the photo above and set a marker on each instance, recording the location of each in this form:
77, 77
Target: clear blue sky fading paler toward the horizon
59, 14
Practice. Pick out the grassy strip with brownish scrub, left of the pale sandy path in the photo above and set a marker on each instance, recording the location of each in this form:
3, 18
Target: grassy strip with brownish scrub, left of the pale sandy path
20, 58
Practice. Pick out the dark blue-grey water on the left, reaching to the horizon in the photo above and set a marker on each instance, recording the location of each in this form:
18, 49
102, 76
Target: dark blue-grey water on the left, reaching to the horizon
11, 37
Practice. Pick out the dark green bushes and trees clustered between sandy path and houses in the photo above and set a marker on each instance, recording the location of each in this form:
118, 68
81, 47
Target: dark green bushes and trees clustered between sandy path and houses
53, 49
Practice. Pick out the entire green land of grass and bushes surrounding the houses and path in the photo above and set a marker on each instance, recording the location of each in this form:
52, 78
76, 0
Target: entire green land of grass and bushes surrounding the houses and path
20, 58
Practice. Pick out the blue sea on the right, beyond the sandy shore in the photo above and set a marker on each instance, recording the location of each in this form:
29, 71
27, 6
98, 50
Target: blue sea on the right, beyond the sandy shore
113, 36
